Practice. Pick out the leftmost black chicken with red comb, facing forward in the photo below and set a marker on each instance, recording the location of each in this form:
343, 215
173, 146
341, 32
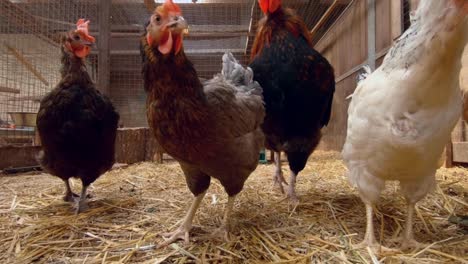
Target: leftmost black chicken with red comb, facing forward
76, 123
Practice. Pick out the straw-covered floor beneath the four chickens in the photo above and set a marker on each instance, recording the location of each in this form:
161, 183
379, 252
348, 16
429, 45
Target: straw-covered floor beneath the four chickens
130, 207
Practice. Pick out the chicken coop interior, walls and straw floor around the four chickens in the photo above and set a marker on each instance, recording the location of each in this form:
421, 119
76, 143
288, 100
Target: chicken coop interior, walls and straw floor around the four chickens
120, 228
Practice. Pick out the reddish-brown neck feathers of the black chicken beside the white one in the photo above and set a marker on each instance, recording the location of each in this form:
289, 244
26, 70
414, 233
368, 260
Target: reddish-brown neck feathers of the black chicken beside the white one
282, 18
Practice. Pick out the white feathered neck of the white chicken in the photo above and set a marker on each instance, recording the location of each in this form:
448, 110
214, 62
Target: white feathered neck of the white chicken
438, 32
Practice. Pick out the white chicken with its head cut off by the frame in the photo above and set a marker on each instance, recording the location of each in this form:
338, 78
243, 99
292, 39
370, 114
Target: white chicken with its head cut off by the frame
402, 115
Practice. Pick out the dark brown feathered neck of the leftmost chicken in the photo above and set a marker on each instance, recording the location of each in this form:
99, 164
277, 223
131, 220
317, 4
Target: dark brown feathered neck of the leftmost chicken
73, 68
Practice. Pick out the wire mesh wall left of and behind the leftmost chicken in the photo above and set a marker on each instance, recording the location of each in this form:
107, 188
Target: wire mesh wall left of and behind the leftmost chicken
30, 59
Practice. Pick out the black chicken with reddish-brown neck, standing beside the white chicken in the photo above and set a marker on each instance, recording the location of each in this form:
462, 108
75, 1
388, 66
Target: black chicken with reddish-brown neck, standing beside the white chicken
298, 86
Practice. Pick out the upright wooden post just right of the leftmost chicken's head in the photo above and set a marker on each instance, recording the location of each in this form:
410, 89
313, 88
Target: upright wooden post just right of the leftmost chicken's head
103, 46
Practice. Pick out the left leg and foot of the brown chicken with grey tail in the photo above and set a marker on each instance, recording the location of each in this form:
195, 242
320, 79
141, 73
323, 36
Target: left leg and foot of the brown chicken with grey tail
182, 232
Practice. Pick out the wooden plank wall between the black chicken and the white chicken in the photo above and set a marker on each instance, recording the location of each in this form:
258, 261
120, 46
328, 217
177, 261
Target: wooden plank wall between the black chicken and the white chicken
345, 46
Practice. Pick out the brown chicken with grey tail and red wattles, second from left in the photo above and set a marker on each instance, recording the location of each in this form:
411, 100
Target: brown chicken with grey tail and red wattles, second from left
211, 129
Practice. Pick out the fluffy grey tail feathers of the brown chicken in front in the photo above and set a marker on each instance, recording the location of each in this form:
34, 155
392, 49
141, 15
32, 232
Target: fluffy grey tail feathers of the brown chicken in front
241, 77
